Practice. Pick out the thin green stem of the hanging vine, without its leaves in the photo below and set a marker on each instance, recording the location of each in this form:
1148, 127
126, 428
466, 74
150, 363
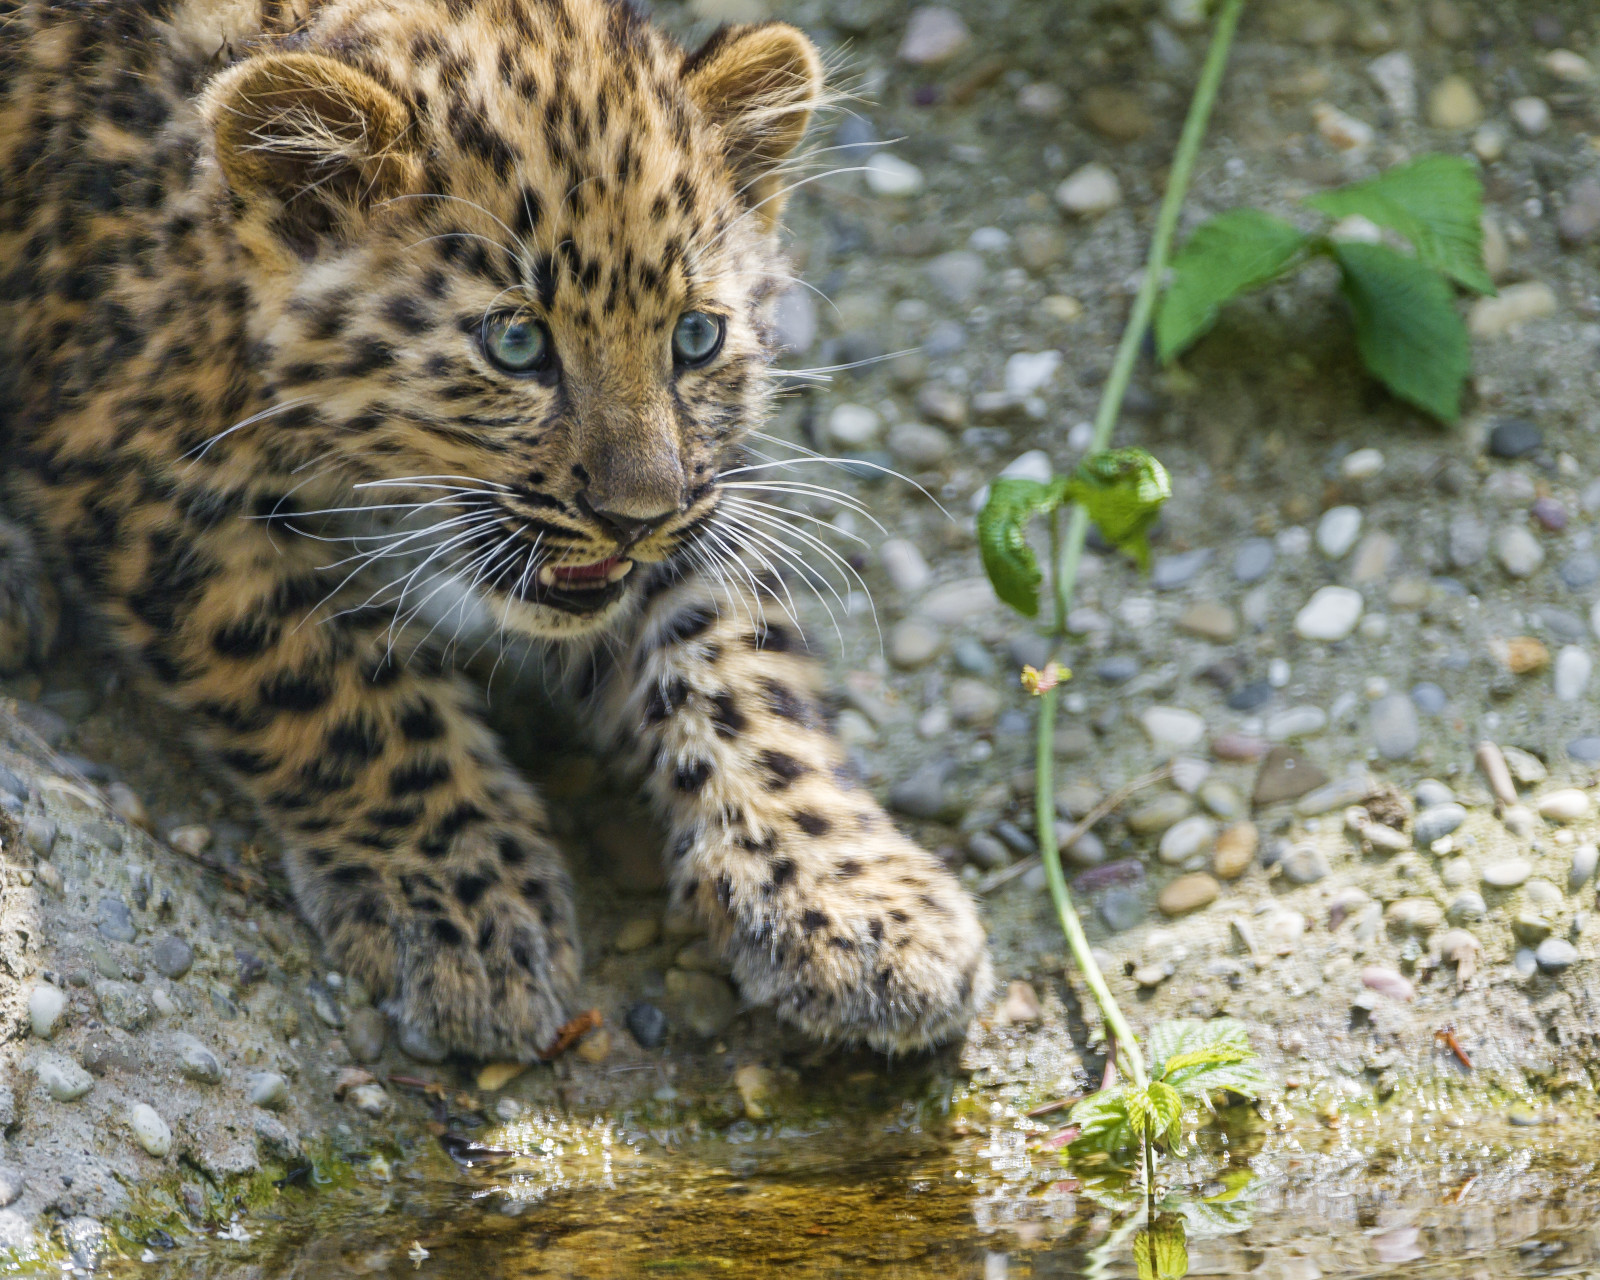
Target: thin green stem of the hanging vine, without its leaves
1066, 554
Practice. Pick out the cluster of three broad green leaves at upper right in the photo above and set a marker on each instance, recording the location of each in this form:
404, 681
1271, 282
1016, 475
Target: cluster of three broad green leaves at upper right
1407, 327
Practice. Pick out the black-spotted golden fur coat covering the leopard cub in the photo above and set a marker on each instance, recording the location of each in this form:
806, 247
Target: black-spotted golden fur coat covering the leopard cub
247, 258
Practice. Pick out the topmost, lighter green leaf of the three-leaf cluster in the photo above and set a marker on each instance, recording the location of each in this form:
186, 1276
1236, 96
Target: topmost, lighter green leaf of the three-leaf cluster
1436, 204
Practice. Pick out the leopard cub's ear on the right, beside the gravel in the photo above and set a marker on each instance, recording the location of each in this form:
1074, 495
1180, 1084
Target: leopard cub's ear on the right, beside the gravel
759, 86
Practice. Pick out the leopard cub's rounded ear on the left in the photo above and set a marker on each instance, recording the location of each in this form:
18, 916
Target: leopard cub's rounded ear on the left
324, 140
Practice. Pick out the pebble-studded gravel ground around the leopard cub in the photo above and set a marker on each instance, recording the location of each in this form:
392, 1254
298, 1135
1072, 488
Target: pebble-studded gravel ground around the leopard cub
1346, 601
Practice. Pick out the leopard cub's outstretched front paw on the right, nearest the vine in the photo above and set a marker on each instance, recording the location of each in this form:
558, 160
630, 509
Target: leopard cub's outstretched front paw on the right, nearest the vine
854, 935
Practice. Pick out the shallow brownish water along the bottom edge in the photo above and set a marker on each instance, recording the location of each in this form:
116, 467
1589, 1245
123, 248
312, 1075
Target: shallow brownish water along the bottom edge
946, 1185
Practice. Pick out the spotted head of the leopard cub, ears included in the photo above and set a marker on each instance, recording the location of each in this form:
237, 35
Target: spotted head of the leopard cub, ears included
516, 260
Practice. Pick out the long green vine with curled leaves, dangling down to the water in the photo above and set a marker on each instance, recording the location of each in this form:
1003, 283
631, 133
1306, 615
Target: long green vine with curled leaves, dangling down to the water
1122, 492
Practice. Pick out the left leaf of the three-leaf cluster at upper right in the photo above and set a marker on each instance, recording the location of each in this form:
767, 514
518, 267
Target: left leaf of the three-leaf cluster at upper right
1228, 255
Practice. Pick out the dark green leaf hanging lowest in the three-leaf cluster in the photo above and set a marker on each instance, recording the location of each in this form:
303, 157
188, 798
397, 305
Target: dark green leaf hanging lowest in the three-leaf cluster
1407, 327
